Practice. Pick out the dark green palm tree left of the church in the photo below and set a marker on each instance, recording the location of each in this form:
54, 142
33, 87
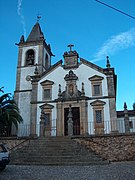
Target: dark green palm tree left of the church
9, 113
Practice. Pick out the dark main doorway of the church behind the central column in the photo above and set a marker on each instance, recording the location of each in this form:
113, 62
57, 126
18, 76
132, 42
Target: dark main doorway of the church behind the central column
76, 120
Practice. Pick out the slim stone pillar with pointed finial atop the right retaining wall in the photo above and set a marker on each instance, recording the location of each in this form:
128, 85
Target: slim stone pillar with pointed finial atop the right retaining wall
126, 119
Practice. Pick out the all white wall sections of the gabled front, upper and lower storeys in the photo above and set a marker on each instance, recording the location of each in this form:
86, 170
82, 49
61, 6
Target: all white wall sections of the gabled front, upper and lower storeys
83, 73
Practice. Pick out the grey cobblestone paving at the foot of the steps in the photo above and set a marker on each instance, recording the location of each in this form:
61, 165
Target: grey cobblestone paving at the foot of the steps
113, 171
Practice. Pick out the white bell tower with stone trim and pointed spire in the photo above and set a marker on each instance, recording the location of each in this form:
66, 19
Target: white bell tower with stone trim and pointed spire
34, 53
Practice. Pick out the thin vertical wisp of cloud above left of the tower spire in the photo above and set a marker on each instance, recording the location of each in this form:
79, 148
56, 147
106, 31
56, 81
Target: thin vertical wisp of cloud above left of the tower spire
20, 13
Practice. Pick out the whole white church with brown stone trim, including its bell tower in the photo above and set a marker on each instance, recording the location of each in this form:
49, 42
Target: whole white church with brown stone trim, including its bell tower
70, 97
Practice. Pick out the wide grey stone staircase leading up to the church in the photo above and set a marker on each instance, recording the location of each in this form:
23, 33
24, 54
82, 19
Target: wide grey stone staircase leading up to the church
54, 151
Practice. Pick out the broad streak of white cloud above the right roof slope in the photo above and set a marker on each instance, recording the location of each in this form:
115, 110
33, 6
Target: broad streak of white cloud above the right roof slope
116, 43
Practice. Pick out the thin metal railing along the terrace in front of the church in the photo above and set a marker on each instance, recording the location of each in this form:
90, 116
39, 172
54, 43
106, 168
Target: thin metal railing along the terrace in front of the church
24, 130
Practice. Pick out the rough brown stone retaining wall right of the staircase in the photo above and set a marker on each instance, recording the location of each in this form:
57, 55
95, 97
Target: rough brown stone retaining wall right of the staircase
111, 147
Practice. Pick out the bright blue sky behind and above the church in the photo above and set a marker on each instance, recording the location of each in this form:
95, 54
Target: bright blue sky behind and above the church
95, 30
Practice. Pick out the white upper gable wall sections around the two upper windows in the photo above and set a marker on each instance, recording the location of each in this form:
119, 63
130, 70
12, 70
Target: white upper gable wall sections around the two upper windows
83, 73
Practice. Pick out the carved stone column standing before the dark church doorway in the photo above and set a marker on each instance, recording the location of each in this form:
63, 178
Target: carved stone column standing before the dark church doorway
70, 122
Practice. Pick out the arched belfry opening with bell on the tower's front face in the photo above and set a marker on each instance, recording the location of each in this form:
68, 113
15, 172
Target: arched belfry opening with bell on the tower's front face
30, 57
